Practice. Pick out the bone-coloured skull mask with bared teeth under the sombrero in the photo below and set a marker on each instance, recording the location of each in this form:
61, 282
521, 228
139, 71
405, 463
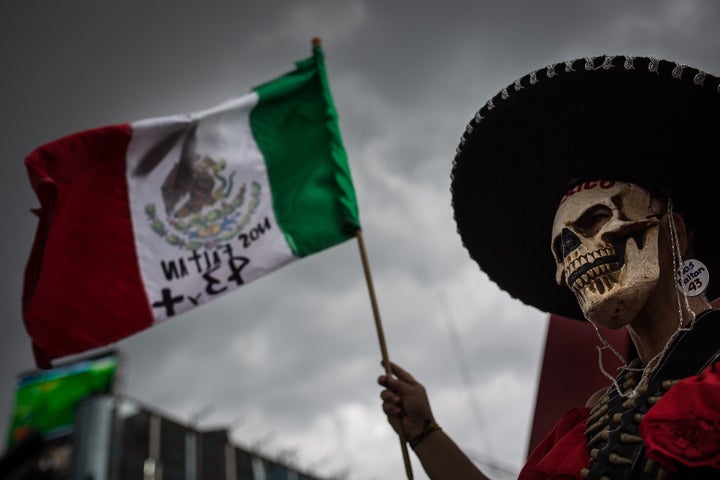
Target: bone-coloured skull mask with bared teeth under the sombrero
605, 244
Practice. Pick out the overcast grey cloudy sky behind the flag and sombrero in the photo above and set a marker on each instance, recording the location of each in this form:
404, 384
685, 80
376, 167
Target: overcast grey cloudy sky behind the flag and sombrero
291, 359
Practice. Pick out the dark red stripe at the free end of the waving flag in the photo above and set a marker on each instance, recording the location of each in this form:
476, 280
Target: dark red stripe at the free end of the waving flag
82, 287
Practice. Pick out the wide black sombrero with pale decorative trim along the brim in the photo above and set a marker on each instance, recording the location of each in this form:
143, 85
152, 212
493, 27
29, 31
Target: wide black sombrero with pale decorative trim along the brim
639, 119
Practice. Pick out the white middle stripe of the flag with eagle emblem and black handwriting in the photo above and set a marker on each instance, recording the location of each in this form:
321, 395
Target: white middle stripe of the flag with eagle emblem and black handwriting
202, 207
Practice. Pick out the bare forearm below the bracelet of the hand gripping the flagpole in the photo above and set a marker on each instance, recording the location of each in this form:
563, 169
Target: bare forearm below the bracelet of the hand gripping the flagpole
442, 459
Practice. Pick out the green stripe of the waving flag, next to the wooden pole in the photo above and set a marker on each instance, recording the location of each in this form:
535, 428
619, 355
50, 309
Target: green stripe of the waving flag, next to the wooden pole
296, 128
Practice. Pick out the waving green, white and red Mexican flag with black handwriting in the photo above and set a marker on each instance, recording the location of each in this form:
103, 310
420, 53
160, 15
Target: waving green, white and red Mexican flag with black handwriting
142, 221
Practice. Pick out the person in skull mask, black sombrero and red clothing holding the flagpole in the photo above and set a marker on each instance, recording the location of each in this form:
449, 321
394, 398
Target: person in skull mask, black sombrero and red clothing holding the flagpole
583, 189
